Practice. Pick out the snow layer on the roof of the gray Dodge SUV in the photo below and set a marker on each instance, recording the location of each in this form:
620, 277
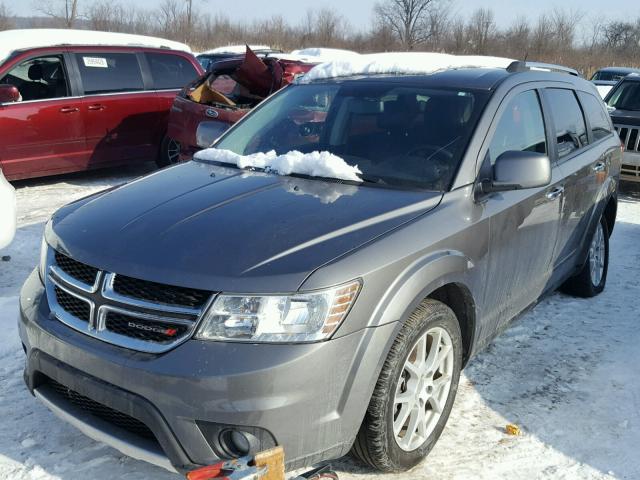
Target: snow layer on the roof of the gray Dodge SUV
407, 63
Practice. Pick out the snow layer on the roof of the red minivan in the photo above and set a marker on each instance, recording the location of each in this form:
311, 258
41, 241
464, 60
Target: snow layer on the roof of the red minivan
12, 40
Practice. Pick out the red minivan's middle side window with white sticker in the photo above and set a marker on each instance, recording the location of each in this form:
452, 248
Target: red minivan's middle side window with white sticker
109, 72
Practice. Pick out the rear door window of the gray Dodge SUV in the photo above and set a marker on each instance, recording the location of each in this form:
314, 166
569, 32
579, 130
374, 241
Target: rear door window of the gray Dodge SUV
571, 129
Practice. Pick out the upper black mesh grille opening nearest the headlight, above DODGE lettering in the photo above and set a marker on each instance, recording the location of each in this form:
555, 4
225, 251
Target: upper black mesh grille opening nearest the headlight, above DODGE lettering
160, 293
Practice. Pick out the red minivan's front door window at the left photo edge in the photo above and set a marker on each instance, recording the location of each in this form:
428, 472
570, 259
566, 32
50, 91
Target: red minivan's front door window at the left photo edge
41, 78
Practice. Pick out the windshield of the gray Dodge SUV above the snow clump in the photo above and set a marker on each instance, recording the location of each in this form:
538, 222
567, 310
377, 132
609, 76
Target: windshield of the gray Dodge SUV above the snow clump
397, 135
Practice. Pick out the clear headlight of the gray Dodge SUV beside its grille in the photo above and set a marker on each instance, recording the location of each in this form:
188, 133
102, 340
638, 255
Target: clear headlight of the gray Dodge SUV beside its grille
305, 317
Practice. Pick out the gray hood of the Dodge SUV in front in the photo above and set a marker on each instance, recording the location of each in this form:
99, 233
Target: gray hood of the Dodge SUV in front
221, 229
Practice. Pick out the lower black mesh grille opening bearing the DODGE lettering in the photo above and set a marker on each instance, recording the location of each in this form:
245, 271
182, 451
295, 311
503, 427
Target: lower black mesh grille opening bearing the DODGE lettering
143, 329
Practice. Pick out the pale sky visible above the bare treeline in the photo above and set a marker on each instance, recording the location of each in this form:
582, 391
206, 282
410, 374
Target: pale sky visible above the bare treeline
359, 11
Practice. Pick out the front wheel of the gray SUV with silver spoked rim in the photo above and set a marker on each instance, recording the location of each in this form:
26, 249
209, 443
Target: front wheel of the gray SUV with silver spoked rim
377, 444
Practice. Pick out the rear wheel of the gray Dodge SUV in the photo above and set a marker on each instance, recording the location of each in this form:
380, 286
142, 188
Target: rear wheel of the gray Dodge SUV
584, 284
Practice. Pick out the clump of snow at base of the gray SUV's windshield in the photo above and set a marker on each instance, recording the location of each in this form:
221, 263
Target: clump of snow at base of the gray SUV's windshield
314, 164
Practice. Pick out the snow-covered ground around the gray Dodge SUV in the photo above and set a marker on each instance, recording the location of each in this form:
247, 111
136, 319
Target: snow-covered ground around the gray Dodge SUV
566, 373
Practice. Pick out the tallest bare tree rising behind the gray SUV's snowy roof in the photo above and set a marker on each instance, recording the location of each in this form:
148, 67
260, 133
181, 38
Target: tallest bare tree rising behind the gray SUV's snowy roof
408, 19
